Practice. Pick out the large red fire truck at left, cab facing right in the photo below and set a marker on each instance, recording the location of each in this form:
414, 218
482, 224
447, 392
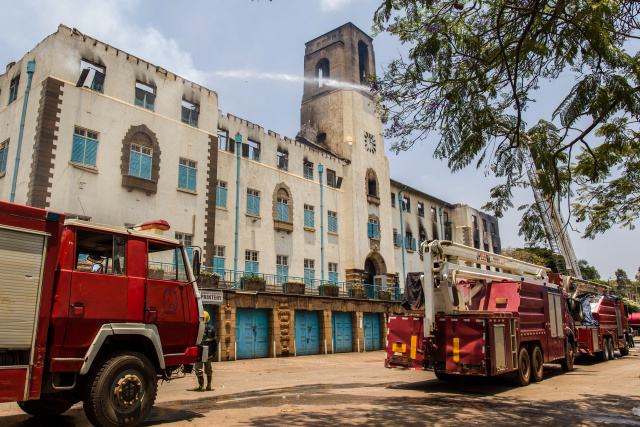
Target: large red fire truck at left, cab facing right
92, 313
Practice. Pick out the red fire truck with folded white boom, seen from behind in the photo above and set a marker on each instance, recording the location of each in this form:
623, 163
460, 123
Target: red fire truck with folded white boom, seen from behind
508, 320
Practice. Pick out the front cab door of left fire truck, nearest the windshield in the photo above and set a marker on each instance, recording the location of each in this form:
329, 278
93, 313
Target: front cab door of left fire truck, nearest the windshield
166, 296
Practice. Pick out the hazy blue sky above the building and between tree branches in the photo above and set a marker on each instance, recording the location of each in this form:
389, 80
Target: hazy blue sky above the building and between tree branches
251, 53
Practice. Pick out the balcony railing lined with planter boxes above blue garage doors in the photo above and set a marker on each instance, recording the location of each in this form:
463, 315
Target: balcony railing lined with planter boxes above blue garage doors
240, 280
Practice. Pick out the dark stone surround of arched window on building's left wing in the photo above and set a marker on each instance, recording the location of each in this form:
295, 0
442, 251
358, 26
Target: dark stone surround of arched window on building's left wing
143, 136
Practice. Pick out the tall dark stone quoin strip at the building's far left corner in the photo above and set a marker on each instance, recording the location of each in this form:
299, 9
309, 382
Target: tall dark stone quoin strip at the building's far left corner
45, 143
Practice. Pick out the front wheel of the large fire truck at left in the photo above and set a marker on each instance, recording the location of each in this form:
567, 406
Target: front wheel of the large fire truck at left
120, 390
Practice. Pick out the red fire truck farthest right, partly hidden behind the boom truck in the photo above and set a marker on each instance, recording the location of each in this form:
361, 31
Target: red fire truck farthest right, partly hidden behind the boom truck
602, 324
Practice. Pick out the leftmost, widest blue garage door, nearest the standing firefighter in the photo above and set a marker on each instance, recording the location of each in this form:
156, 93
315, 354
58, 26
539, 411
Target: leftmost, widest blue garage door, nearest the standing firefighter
252, 332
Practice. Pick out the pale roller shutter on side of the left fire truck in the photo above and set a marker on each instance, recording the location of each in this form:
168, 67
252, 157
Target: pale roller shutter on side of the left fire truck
21, 263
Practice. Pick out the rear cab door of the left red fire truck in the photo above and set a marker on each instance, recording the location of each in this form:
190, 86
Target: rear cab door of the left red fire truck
99, 287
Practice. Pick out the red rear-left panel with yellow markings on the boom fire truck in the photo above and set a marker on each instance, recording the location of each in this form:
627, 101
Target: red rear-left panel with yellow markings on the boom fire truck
405, 341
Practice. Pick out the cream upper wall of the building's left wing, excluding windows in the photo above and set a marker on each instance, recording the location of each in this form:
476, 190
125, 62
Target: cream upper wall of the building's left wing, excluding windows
98, 192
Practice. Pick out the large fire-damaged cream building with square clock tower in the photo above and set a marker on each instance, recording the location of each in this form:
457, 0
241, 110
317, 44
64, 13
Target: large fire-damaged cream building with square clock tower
111, 138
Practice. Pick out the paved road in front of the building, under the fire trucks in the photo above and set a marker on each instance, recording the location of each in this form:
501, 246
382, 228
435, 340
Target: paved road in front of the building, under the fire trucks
355, 389
